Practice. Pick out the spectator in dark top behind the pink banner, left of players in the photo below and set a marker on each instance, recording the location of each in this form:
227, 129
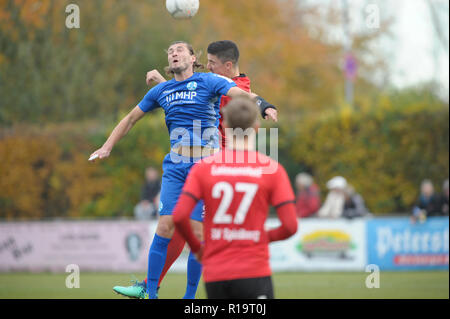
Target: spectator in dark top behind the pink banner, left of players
147, 208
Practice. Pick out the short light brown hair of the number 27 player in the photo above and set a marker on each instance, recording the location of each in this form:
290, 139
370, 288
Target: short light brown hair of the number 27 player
240, 112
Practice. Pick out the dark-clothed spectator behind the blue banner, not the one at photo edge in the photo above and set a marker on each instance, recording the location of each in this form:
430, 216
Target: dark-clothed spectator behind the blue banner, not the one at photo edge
428, 203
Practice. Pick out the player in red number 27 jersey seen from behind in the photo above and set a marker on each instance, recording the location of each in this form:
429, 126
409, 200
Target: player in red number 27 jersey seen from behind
237, 189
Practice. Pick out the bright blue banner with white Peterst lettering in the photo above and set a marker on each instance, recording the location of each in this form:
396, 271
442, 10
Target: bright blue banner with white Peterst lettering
397, 244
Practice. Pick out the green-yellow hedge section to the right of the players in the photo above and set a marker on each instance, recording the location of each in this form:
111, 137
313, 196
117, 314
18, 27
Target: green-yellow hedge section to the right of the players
384, 147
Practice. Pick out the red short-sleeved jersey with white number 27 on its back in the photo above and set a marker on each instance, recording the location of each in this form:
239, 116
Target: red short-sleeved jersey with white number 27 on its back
237, 197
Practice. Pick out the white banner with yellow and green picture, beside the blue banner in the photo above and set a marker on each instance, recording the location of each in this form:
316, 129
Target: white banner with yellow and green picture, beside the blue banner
323, 245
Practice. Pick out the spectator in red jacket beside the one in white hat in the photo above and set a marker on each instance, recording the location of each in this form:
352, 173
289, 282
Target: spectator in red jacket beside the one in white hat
308, 195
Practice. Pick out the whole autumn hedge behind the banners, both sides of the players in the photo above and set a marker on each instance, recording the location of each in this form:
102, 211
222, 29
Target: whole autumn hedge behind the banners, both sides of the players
384, 147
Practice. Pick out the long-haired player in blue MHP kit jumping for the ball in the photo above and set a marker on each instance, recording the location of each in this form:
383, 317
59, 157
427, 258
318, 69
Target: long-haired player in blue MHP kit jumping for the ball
190, 117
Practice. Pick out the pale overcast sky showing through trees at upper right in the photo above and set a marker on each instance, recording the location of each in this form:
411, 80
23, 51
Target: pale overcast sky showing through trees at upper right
414, 52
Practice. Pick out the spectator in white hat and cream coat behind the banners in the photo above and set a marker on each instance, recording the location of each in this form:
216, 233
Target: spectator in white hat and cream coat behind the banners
334, 203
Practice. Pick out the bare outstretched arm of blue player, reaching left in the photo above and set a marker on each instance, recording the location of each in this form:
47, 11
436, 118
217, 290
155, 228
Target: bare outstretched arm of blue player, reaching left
118, 133
